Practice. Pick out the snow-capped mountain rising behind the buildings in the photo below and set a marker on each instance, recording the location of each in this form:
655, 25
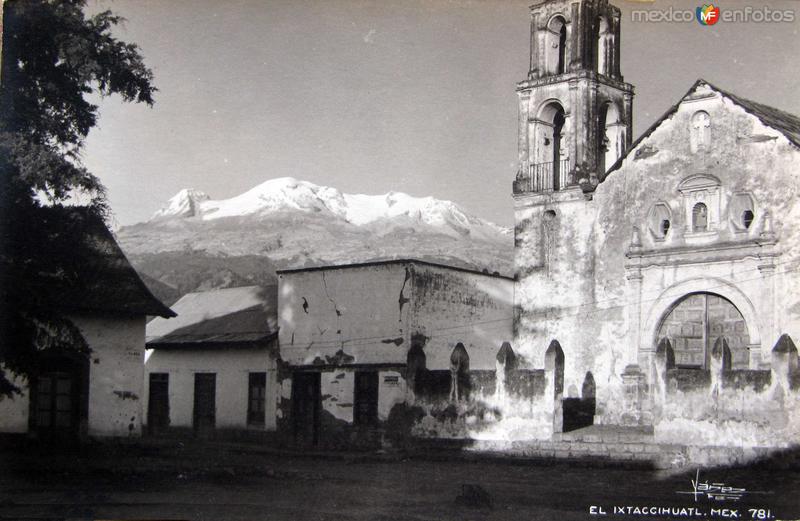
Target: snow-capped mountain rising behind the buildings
295, 223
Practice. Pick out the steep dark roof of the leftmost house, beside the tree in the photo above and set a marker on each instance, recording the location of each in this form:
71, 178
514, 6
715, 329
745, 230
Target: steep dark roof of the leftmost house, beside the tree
101, 279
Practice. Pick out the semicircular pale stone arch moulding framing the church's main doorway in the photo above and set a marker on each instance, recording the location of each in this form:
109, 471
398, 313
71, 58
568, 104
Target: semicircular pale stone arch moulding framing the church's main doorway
668, 299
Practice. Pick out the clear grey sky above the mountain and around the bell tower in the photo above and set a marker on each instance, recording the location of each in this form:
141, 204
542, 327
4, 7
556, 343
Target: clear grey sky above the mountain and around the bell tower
414, 96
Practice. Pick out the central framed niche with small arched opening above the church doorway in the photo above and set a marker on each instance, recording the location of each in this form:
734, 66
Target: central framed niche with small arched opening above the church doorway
701, 202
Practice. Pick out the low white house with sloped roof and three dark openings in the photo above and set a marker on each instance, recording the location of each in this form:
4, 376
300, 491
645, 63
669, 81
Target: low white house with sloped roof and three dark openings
213, 369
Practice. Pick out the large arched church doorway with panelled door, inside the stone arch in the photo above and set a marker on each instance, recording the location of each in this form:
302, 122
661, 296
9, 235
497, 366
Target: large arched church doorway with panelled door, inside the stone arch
696, 322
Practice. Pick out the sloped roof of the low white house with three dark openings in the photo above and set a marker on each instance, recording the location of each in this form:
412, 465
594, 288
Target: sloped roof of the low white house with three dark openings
222, 317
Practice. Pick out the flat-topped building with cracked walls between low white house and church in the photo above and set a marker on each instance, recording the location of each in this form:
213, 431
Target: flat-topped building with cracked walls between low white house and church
361, 343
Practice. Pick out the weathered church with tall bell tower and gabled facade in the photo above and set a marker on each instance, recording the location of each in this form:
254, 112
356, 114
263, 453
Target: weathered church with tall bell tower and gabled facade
663, 271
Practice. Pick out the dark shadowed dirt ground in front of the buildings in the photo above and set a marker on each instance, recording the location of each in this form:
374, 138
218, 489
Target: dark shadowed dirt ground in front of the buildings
192, 481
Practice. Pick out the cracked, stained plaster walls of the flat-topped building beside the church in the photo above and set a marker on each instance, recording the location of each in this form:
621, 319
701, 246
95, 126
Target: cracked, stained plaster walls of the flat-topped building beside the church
366, 318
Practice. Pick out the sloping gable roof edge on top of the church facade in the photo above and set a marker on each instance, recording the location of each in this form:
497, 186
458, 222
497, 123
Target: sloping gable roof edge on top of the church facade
782, 121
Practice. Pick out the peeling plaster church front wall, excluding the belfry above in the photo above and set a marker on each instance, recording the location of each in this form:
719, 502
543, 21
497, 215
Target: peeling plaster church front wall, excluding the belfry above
598, 275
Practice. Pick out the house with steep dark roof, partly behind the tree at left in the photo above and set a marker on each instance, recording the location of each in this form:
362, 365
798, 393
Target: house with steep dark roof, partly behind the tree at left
74, 394
